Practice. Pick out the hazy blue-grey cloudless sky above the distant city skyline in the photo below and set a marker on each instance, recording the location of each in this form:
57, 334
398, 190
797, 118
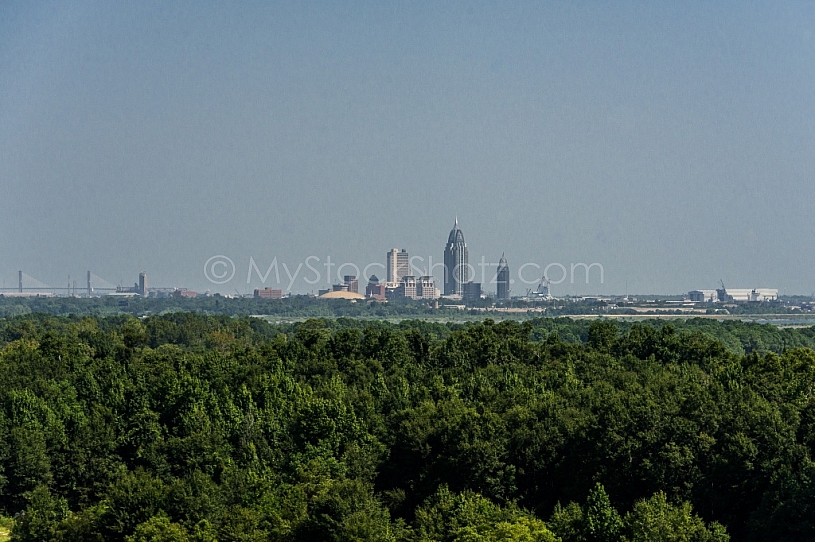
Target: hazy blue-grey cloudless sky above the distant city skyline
673, 143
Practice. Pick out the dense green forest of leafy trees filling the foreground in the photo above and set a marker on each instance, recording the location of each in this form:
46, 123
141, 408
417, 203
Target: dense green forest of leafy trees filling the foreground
203, 428
